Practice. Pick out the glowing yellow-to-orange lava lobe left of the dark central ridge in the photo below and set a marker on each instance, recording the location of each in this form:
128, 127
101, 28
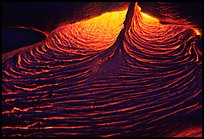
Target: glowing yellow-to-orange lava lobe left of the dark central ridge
96, 33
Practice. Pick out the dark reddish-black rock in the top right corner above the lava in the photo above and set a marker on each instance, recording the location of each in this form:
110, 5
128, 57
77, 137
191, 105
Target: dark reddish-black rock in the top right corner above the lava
175, 12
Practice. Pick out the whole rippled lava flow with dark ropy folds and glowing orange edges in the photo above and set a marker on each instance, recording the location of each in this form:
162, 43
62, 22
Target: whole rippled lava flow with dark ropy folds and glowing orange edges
100, 77
